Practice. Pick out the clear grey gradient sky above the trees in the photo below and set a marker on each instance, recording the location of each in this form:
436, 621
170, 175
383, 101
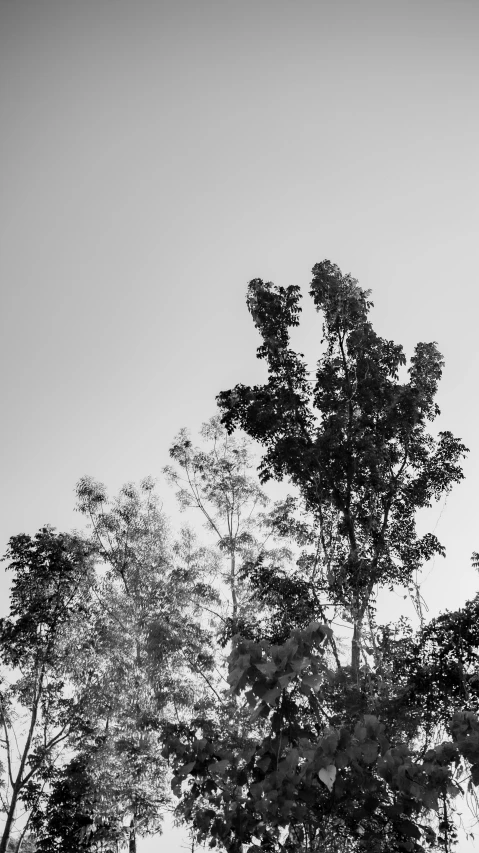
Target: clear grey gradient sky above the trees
158, 155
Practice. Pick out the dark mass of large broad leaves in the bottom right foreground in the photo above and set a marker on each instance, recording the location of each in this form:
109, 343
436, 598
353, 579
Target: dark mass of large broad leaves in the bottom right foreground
302, 783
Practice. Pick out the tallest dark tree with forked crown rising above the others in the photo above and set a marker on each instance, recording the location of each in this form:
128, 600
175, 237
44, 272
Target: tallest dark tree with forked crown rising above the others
354, 439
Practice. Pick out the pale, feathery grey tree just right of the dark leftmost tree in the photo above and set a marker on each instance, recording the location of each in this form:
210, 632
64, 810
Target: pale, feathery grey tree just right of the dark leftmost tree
145, 654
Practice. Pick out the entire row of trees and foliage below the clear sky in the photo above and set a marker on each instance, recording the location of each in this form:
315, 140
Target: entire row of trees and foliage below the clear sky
248, 686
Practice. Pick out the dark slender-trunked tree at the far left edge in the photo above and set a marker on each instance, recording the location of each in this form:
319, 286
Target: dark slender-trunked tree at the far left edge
48, 612
